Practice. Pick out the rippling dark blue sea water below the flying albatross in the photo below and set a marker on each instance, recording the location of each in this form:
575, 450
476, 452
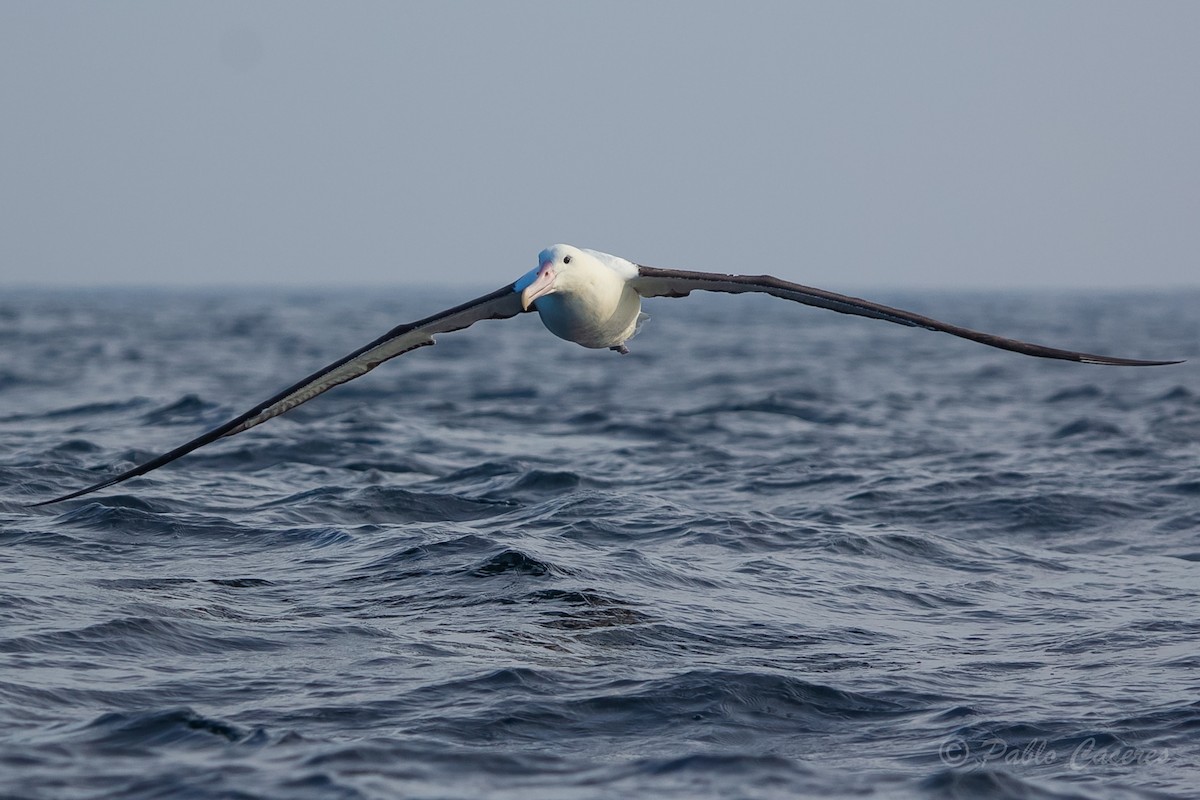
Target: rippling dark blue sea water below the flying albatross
776, 552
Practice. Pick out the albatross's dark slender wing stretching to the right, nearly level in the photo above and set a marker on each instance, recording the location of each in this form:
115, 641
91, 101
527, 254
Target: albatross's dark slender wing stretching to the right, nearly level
652, 282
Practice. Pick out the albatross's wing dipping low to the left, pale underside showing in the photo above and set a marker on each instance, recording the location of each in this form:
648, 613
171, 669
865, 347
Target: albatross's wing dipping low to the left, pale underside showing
501, 304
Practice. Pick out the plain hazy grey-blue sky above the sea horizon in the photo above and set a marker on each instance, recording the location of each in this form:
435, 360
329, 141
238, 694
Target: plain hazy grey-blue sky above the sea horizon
1039, 145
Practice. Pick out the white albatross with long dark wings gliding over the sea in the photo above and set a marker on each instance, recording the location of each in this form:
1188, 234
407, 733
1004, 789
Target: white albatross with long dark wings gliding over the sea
589, 298
